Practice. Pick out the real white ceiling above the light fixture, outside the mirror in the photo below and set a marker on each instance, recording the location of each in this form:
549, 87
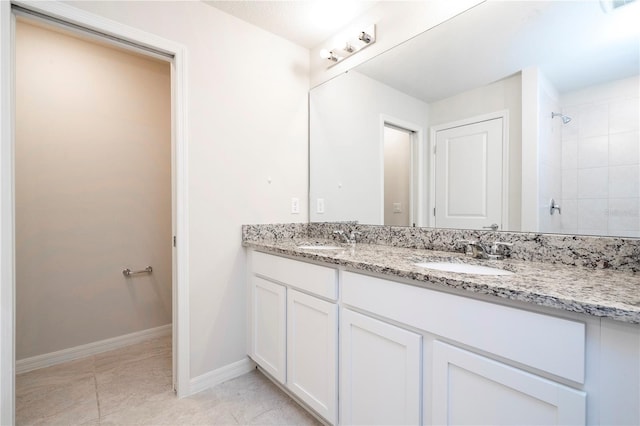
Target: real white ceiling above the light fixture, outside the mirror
306, 23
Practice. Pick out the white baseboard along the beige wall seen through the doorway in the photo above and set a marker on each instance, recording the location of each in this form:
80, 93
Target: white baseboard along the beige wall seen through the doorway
58, 357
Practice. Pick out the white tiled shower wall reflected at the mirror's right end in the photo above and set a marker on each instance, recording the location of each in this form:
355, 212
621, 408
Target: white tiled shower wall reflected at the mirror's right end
601, 160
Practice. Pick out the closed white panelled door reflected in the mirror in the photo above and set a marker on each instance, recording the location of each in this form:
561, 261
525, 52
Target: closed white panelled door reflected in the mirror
468, 176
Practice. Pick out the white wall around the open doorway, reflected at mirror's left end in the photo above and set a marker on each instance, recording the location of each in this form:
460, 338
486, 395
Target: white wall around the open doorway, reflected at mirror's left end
346, 143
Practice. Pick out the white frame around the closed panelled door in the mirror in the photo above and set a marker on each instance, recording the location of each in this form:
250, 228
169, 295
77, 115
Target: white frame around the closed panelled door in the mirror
433, 130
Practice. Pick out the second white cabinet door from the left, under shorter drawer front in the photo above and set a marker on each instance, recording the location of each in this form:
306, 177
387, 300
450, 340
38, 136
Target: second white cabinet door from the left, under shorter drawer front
312, 352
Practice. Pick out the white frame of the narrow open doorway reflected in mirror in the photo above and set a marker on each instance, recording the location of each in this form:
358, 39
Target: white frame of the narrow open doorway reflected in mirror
417, 187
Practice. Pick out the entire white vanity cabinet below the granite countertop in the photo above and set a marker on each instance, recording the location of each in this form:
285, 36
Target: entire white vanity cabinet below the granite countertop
408, 354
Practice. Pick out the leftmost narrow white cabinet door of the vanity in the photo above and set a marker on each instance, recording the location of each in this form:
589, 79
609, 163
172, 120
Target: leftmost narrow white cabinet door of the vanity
269, 327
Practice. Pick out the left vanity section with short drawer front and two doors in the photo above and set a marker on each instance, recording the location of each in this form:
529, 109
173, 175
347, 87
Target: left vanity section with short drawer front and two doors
294, 328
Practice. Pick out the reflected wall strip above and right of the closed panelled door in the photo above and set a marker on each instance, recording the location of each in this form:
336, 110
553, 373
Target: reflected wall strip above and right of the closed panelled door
503, 94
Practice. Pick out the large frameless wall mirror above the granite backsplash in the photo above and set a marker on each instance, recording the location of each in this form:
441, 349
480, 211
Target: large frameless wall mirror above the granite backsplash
519, 116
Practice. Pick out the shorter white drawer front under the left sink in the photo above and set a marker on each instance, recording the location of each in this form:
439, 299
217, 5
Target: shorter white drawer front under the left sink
319, 280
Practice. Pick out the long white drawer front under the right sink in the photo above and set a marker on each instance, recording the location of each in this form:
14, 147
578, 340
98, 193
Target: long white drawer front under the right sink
551, 344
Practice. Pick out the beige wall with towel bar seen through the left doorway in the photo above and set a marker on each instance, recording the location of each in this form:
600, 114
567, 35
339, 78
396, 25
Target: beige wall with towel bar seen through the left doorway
93, 191
